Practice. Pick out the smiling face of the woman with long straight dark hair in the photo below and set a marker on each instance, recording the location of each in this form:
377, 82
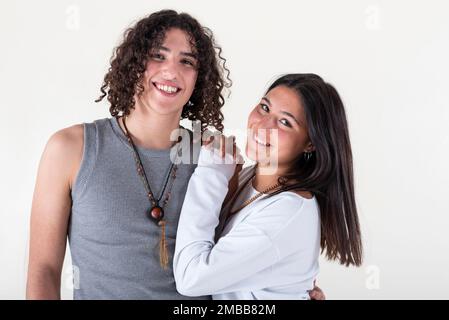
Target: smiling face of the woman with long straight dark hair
278, 131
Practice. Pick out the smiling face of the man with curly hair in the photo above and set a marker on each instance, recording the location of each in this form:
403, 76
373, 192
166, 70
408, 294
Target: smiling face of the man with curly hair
170, 74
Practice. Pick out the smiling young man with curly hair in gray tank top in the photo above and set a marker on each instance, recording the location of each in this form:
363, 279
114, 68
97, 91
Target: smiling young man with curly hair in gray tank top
89, 187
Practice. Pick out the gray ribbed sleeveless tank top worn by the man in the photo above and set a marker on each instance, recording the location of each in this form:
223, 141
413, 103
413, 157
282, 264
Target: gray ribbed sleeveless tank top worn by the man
114, 246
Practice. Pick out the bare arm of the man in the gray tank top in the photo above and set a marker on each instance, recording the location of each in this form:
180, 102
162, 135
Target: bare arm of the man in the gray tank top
50, 212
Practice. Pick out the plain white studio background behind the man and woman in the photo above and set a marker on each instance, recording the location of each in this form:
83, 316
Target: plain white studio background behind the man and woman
388, 60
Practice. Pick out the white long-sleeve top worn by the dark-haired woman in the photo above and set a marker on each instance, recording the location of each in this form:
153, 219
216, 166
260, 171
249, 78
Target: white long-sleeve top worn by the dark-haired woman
269, 250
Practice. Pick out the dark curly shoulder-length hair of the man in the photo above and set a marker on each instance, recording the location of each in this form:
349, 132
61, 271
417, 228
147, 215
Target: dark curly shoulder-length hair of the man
129, 60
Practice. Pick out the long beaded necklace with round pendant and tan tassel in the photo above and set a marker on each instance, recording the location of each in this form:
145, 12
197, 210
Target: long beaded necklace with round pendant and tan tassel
156, 210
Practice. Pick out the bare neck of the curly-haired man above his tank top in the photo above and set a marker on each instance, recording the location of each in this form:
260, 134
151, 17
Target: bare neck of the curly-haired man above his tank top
150, 130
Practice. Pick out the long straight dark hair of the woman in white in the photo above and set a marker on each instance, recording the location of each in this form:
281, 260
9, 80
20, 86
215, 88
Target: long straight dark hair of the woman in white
328, 171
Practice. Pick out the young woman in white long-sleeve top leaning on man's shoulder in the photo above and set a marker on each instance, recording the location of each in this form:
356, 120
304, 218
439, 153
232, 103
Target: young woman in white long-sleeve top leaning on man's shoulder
272, 228
